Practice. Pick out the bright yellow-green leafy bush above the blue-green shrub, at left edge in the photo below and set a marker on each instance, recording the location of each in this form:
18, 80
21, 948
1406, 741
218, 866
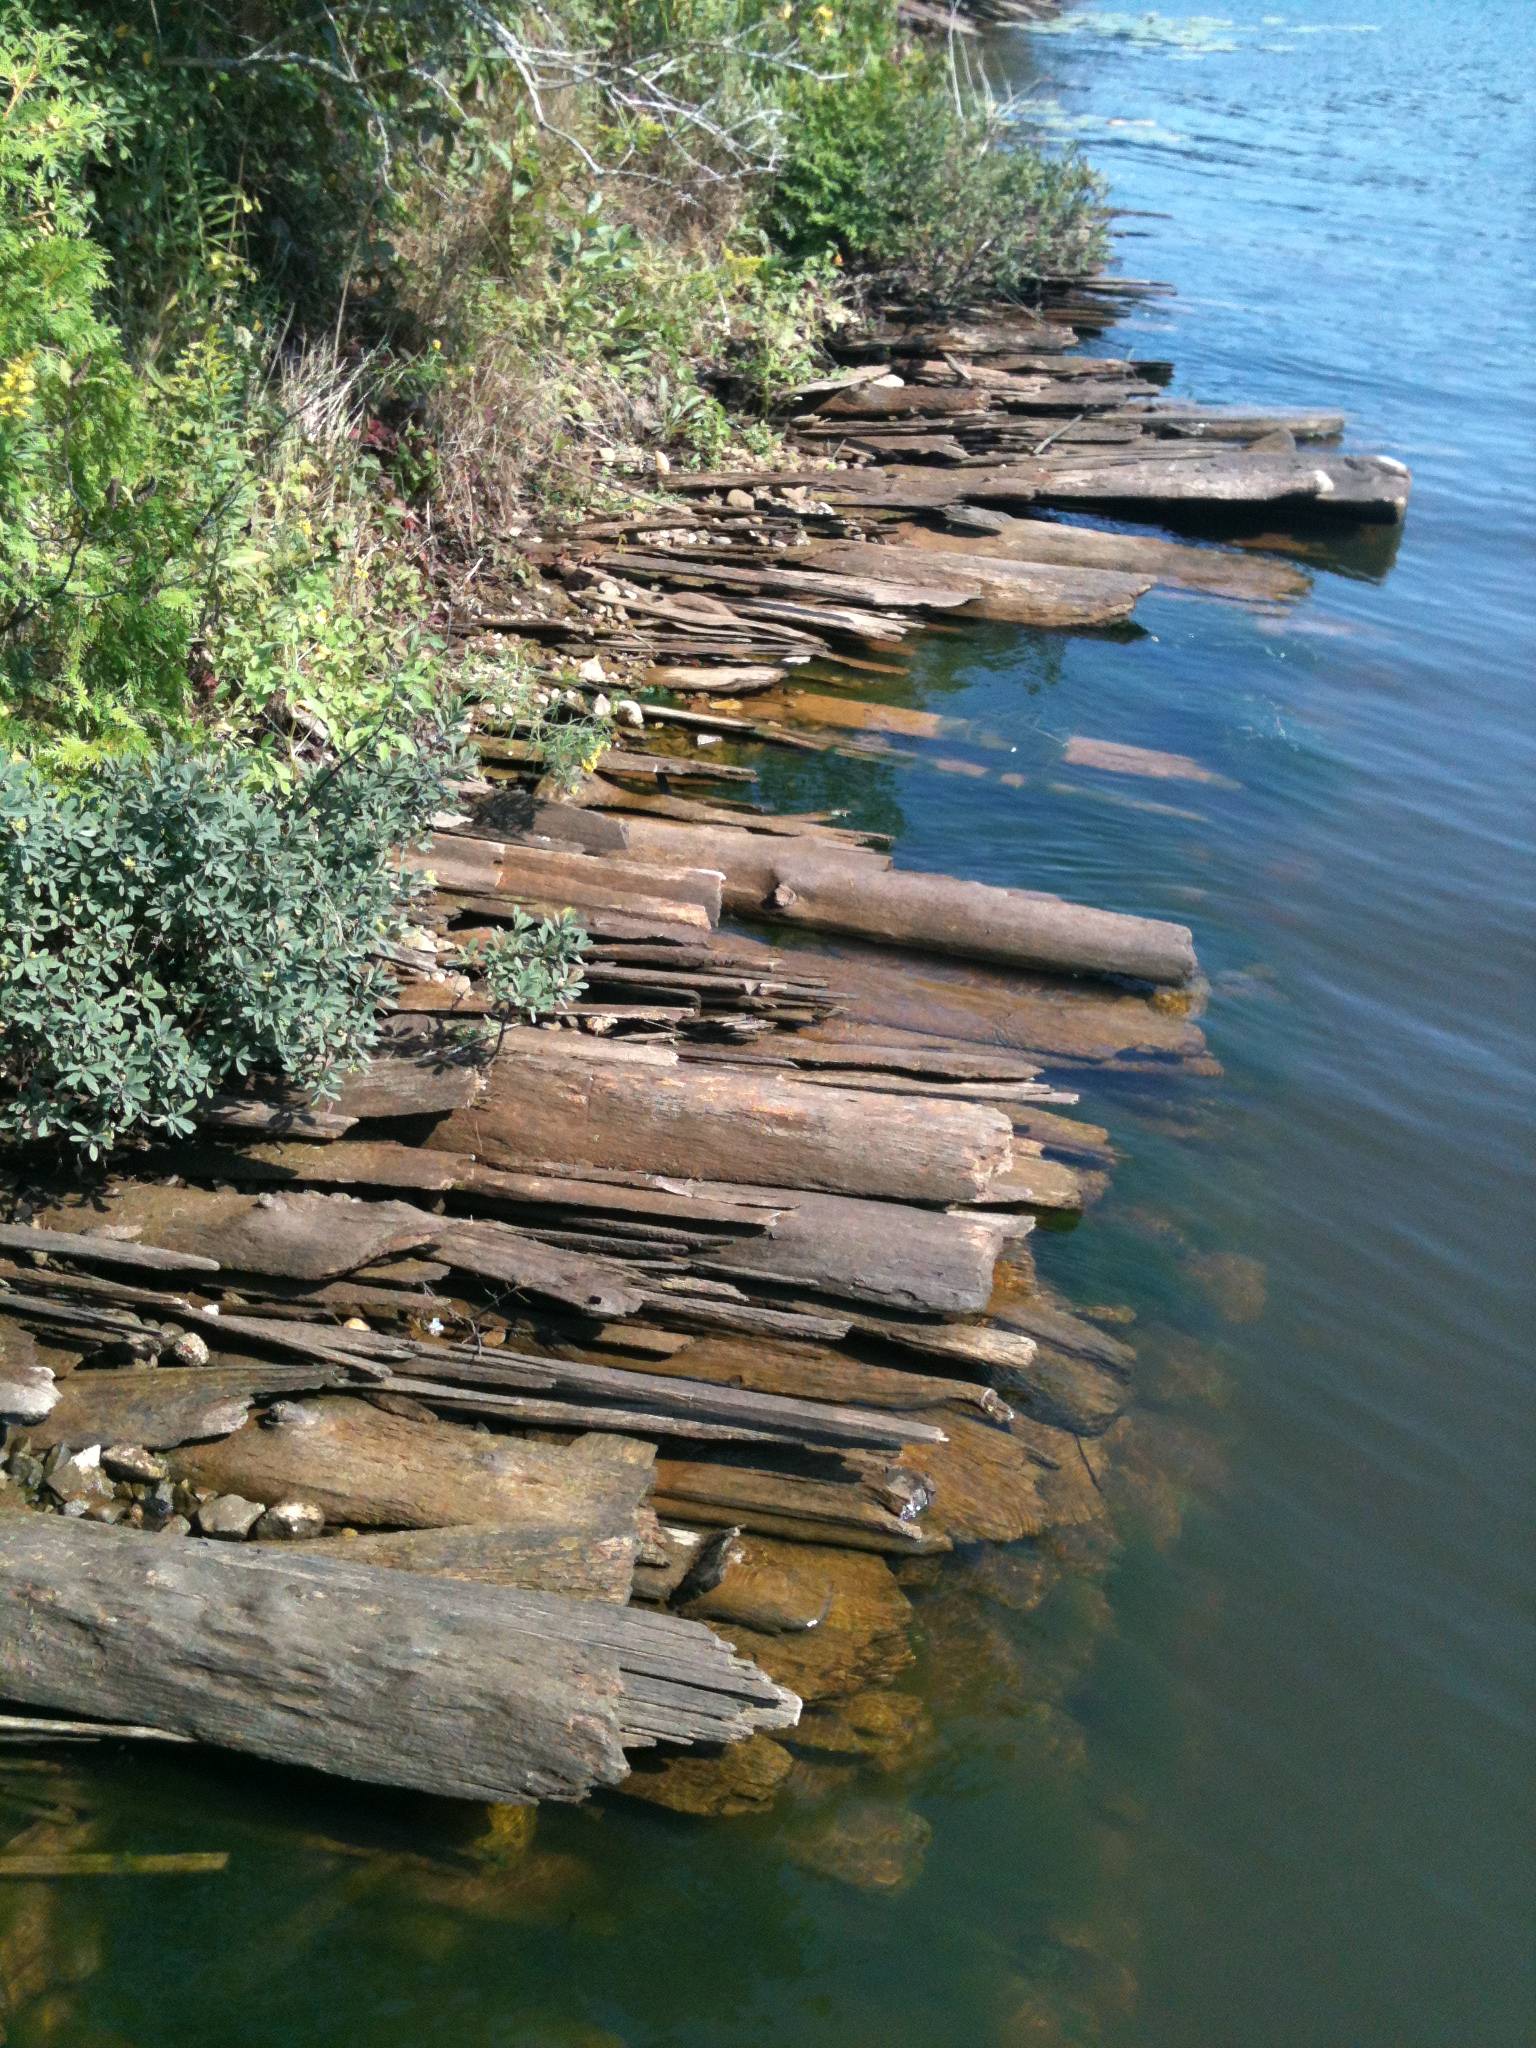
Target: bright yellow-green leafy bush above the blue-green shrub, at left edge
179, 540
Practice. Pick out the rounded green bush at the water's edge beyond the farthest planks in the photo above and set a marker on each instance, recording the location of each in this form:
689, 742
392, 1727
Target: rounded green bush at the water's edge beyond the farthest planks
916, 181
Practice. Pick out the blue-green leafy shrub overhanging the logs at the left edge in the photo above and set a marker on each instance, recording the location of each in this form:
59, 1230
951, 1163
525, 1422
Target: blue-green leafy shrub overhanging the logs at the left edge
167, 931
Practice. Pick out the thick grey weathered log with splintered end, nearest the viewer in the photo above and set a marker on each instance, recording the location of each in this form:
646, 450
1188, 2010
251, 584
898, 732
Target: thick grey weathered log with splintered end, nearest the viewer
437, 1684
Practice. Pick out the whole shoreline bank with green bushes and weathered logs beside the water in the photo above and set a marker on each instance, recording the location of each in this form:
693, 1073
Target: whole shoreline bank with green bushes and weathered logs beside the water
474, 1172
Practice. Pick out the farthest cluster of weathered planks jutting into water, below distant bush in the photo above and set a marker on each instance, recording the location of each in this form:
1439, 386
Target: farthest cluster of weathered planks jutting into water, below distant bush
921, 450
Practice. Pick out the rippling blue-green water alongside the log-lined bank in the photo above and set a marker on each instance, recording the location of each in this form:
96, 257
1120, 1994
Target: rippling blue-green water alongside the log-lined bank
1265, 1783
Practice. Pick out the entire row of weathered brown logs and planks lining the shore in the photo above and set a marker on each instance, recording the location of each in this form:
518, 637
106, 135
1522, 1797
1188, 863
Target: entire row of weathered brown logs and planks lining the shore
560, 1406
